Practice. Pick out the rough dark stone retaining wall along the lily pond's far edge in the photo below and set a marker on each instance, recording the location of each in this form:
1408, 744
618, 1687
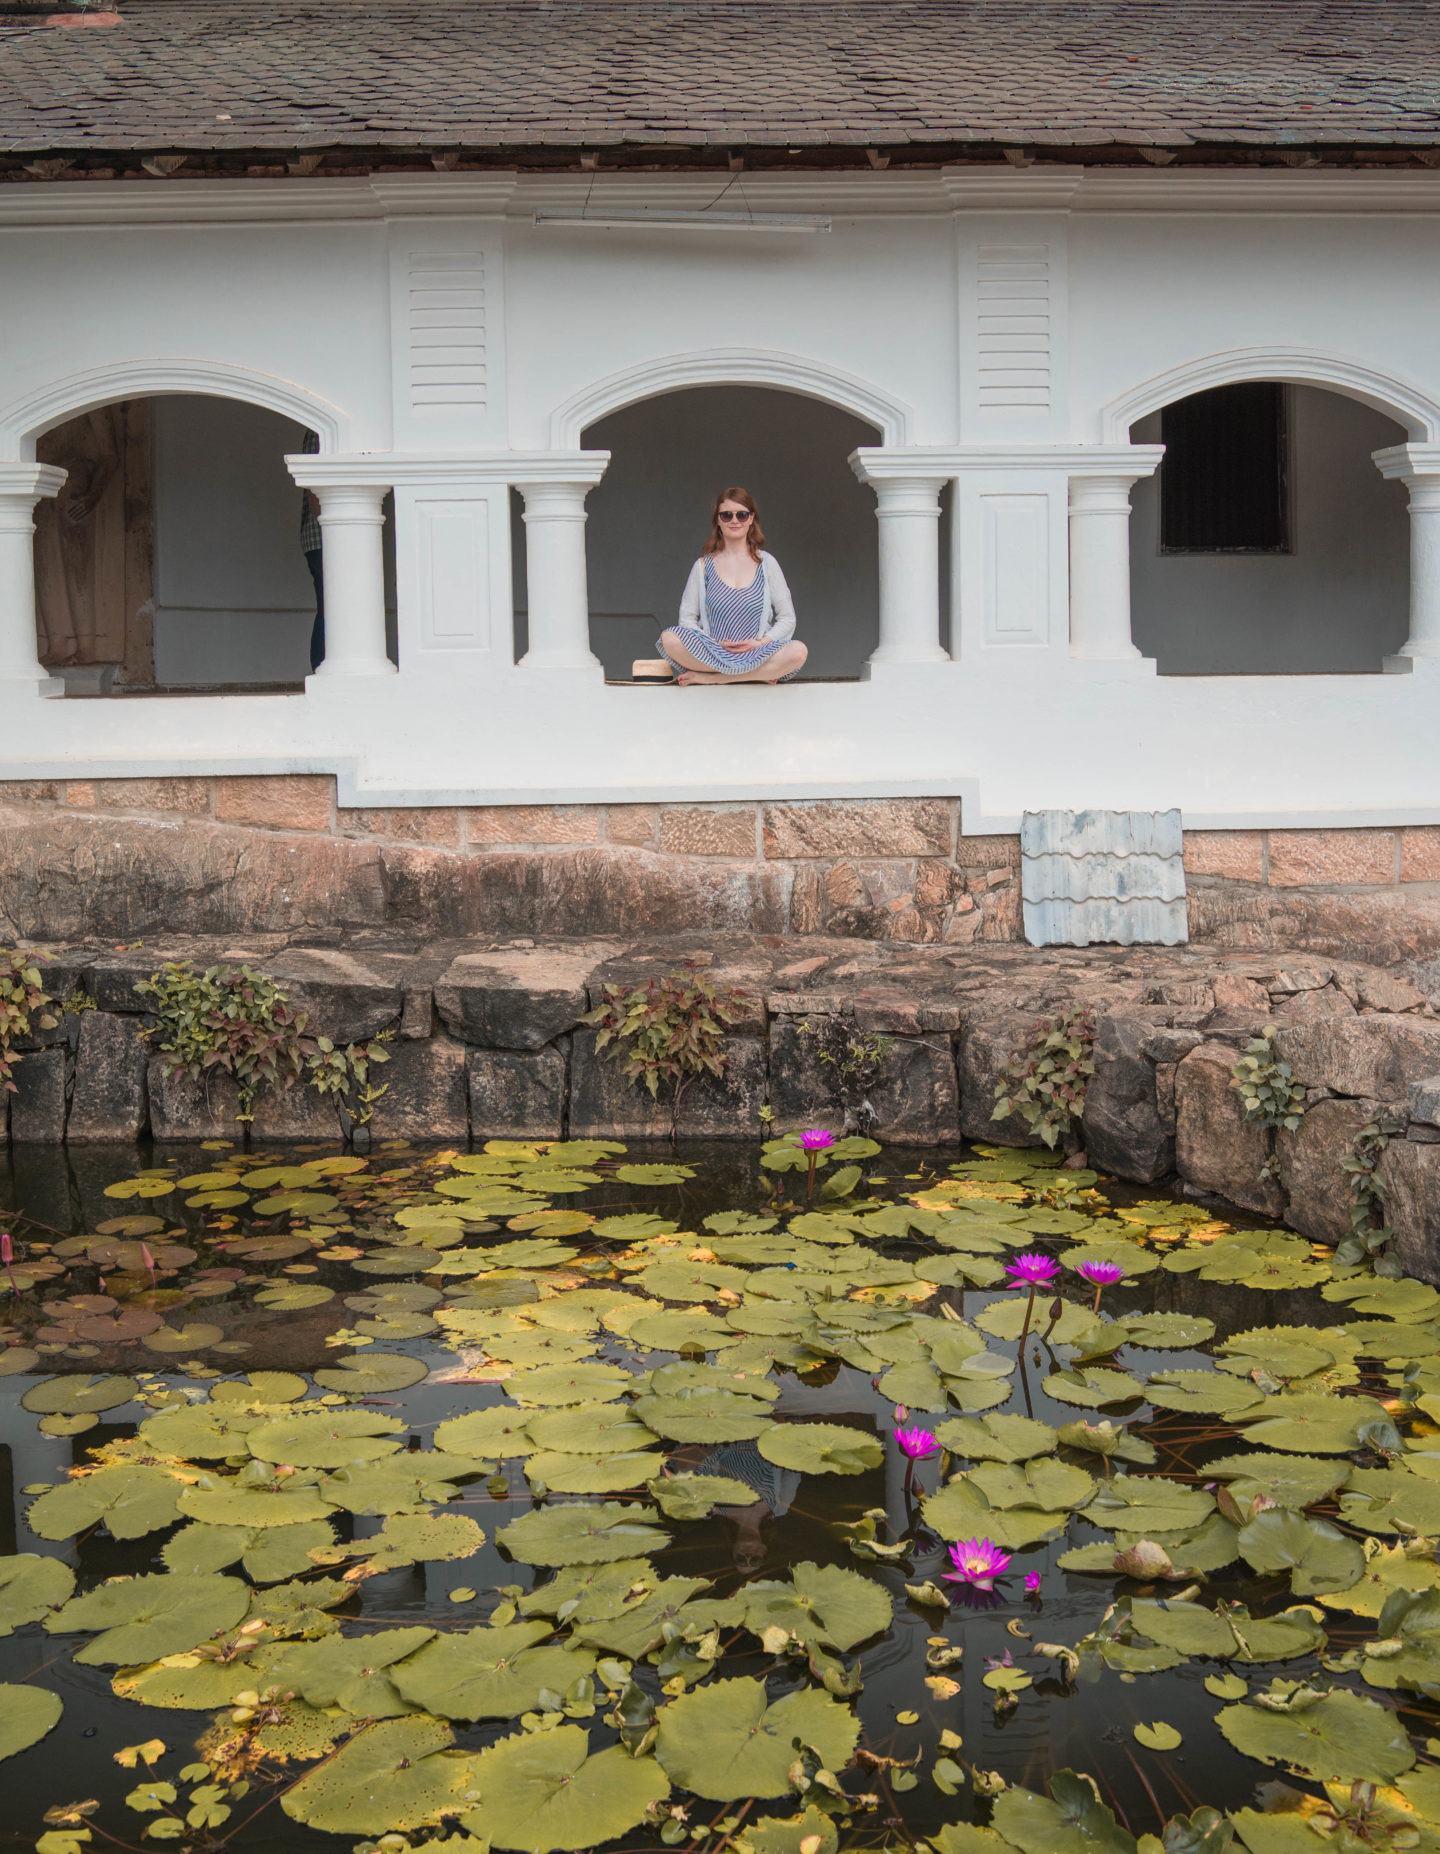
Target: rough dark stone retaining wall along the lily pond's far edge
488, 1043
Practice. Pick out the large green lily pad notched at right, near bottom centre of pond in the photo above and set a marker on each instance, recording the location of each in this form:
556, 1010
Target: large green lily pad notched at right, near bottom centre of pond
724, 1742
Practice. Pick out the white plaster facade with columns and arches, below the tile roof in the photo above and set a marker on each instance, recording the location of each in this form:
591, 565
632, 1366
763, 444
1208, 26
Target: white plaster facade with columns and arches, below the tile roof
305, 299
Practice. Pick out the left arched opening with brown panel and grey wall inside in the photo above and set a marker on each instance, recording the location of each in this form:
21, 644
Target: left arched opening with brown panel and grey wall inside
179, 553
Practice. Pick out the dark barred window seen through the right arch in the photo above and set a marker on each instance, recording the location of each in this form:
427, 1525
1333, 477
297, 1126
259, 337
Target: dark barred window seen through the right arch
1224, 481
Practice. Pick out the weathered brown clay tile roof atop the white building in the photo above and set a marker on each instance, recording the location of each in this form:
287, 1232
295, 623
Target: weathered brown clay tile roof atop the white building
214, 75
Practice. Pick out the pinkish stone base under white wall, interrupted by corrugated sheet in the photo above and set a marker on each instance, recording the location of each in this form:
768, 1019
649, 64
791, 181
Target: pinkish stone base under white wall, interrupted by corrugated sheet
133, 857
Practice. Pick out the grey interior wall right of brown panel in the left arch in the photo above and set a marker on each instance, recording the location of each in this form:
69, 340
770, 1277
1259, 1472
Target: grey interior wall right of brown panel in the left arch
234, 600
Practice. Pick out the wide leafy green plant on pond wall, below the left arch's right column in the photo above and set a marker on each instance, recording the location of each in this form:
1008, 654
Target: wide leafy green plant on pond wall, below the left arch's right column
236, 1022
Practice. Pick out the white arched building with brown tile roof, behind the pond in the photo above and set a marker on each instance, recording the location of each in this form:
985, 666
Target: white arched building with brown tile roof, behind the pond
935, 281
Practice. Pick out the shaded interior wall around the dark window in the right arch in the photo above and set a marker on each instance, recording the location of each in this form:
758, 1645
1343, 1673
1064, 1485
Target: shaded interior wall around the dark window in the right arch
1337, 603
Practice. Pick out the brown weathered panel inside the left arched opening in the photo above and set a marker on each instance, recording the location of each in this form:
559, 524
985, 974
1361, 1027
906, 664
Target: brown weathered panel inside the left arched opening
94, 544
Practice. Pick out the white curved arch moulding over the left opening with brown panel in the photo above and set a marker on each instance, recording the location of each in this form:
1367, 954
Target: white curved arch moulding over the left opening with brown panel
25, 420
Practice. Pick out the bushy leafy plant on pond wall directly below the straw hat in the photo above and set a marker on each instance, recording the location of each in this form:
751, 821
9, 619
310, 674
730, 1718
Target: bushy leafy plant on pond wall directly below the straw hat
668, 1032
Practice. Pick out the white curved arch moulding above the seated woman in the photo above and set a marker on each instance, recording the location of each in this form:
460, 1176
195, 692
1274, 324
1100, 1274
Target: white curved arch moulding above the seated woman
731, 368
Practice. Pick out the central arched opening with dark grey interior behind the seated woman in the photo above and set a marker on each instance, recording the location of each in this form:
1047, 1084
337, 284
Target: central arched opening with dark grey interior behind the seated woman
650, 516
